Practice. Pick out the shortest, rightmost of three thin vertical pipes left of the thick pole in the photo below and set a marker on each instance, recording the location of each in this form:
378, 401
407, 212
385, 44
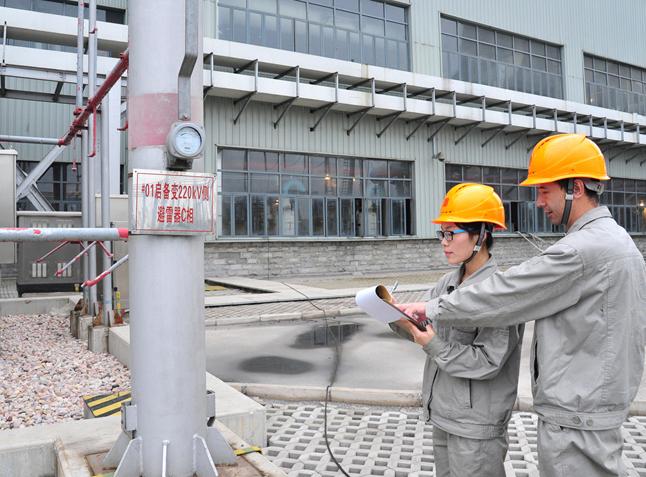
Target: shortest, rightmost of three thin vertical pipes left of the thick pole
105, 207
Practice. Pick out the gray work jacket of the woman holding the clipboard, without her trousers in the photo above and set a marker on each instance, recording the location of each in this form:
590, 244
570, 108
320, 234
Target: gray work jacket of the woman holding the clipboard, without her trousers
471, 374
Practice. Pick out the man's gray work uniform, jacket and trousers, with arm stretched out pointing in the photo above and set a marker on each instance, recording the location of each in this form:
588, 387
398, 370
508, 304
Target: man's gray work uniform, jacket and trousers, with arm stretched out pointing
587, 295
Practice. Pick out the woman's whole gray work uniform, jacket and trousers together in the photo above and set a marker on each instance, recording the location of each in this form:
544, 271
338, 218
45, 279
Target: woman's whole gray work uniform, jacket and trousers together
469, 388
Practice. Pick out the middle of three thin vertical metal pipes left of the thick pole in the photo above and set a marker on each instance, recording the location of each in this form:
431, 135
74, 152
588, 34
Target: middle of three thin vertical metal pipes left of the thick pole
91, 161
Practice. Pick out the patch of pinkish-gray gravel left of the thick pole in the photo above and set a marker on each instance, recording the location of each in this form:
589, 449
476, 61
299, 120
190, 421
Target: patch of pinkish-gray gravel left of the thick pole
45, 372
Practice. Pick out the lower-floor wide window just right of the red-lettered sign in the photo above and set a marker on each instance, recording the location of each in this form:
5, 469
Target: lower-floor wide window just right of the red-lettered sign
298, 195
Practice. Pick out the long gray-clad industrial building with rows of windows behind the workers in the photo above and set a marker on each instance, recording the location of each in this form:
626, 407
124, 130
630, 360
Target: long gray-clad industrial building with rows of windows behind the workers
336, 126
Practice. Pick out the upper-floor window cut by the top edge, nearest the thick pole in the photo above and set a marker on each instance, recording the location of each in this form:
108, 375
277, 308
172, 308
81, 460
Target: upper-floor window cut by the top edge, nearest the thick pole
364, 31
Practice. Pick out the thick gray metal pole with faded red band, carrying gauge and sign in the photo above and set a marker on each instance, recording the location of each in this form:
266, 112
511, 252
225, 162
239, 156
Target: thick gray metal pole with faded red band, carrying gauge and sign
166, 273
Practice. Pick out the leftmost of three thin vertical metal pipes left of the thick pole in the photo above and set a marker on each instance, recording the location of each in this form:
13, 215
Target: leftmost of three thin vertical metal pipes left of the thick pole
82, 142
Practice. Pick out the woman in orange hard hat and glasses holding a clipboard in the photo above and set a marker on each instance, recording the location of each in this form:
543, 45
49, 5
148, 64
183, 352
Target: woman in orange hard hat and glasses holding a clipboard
471, 374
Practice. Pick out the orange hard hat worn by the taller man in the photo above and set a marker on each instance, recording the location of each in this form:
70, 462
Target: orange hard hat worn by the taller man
565, 156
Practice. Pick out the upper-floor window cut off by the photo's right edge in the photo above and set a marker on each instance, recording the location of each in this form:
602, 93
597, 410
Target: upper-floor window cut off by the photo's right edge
613, 85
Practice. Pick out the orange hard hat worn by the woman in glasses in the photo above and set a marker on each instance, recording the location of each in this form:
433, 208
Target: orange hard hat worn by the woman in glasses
470, 202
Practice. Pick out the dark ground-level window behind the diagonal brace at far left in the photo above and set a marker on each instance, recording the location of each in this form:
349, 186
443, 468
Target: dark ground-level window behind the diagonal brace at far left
60, 185
